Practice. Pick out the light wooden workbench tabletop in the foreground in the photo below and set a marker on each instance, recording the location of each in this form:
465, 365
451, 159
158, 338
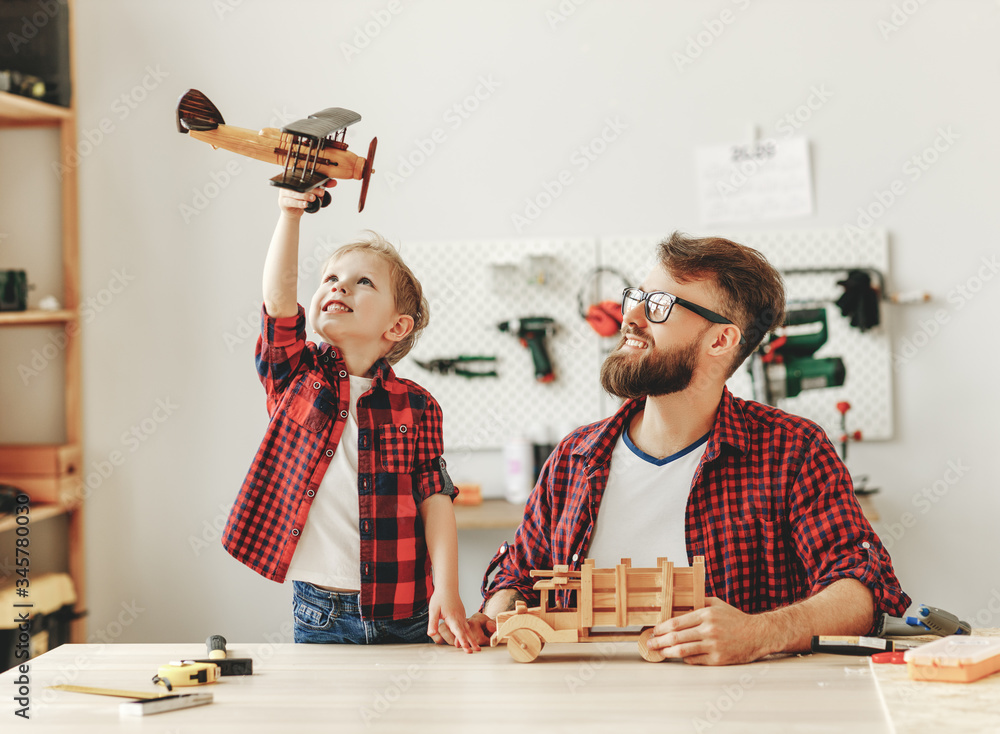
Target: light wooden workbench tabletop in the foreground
594, 687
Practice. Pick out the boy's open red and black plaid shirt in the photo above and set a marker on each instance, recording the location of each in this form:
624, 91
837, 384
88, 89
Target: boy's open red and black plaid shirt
399, 466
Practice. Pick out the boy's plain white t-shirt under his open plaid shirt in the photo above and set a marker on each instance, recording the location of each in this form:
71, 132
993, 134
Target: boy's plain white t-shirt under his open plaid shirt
329, 551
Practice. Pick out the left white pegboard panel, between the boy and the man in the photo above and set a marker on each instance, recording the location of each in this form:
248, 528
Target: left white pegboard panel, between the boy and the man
472, 286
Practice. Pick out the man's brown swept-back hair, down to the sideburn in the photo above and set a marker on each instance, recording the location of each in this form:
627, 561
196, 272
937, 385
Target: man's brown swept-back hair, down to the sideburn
751, 291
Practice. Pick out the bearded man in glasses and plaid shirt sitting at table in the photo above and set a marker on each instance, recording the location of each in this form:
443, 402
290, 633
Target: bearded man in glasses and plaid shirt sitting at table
685, 469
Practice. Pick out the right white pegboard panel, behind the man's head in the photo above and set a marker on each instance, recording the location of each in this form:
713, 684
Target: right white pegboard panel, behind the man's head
867, 355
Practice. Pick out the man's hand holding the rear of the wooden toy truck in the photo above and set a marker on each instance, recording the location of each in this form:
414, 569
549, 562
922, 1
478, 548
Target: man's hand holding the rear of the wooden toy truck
718, 634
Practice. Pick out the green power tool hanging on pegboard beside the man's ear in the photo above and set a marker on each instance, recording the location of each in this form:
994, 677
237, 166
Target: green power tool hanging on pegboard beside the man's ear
787, 365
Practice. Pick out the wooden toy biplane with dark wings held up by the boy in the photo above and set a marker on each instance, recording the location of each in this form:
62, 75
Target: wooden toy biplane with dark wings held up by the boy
311, 151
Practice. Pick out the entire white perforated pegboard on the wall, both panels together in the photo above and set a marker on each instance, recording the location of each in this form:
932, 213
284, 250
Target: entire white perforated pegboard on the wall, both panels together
474, 285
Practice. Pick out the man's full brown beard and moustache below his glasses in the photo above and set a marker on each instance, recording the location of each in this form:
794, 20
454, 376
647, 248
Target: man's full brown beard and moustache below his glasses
629, 375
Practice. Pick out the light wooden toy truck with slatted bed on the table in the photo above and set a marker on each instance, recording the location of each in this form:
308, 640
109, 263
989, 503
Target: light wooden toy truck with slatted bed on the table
606, 597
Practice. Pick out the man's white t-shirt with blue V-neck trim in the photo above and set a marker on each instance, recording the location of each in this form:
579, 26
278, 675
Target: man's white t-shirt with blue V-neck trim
641, 515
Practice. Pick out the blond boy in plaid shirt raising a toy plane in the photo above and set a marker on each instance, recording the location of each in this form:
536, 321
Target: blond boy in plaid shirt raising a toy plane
348, 495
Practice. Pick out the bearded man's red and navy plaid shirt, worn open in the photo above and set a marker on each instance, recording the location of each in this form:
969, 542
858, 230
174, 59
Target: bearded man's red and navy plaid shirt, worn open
771, 508
